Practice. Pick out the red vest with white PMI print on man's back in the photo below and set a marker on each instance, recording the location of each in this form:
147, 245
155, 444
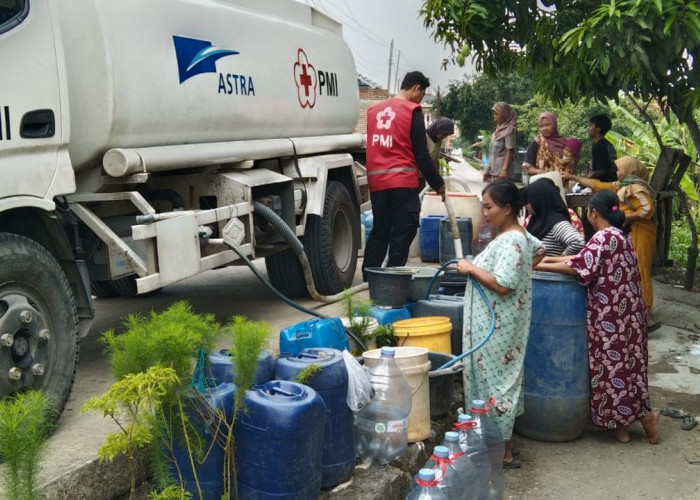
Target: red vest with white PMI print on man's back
390, 159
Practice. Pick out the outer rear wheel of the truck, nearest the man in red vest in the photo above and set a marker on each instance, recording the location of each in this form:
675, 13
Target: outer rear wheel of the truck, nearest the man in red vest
331, 242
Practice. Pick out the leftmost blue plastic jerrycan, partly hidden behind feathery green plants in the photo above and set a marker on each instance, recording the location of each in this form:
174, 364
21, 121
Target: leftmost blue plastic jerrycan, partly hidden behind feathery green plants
204, 411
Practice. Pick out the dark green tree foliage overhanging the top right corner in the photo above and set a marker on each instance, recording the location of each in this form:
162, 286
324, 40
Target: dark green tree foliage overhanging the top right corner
577, 48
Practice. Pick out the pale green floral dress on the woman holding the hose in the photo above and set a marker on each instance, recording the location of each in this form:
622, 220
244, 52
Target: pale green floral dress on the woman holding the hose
496, 369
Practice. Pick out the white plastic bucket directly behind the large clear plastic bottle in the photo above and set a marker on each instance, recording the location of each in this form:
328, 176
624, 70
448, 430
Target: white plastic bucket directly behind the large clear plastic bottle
415, 366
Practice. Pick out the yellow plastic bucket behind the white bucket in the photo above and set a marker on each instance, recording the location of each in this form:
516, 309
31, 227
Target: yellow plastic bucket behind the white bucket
431, 332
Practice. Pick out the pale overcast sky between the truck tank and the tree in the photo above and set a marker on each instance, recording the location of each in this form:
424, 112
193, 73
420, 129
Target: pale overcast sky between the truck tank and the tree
370, 25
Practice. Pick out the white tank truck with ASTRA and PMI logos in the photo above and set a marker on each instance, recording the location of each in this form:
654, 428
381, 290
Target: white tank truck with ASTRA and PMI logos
136, 137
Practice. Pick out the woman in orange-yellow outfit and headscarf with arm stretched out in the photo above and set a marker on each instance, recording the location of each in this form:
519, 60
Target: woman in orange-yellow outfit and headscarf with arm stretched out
637, 203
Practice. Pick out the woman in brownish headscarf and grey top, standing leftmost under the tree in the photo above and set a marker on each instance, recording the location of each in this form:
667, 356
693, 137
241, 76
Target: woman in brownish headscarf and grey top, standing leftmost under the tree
503, 143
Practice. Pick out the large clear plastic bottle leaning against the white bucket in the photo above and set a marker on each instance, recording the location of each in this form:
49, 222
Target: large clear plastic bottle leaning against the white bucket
381, 428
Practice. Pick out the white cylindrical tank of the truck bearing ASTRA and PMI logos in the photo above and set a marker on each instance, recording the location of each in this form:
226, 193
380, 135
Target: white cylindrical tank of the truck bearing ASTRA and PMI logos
167, 72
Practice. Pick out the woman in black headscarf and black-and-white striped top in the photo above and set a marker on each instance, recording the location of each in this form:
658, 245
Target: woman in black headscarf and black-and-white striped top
550, 221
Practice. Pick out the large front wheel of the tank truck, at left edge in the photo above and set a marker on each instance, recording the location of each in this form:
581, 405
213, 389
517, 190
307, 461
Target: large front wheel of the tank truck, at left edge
38, 321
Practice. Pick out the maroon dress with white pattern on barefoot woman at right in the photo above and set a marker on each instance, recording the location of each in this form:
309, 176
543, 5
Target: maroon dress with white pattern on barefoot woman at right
617, 340
